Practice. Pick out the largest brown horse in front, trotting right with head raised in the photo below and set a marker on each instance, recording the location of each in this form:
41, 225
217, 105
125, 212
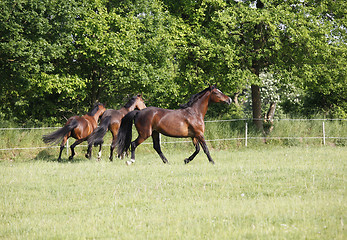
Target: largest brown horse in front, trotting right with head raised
185, 122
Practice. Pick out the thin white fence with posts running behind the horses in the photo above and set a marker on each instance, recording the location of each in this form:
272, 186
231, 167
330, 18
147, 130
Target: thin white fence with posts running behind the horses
245, 138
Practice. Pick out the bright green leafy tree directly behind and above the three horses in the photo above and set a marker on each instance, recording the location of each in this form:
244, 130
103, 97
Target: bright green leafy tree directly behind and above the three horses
129, 47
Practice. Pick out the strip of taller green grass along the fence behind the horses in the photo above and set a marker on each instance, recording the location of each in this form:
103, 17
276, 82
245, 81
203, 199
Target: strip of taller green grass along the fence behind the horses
297, 130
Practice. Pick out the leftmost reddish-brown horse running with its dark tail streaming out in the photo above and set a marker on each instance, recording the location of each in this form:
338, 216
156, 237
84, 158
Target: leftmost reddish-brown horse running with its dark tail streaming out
77, 127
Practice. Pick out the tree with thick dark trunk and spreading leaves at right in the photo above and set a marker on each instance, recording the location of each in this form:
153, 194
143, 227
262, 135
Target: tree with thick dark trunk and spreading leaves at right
284, 37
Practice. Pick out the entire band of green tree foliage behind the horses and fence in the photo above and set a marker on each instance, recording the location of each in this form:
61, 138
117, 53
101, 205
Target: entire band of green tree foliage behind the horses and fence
59, 57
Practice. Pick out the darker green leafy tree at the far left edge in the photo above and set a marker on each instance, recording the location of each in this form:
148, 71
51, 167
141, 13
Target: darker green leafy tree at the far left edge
35, 37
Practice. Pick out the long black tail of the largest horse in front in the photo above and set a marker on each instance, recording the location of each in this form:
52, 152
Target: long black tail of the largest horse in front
125, 132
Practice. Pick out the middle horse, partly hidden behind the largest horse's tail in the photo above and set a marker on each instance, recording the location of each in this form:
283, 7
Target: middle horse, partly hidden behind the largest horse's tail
111, 120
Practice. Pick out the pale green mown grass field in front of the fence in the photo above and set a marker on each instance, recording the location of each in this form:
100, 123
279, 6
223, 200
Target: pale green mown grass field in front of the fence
265, 193
